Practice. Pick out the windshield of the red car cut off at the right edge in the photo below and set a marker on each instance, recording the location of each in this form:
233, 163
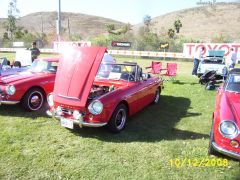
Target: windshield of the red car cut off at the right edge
233, 83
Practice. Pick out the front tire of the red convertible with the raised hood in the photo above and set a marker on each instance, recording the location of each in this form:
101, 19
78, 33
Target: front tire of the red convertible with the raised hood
118, 120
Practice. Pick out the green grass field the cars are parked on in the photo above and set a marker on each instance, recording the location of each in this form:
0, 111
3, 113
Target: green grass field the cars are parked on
164, 141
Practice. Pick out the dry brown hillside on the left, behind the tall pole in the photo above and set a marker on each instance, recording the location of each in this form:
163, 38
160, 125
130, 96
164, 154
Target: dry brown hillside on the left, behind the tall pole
85, 25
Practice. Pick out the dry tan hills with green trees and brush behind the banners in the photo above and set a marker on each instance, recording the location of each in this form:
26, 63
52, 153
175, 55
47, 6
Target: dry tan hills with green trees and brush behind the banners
214, 23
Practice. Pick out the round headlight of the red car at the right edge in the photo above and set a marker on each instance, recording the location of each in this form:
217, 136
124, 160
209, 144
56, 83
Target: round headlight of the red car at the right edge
228, 129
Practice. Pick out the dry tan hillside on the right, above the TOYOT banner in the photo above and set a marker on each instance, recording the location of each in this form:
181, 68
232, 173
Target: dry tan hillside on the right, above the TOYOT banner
203, 22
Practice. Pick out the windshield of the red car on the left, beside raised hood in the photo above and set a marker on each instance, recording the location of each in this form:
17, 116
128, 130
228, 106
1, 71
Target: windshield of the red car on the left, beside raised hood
44, 66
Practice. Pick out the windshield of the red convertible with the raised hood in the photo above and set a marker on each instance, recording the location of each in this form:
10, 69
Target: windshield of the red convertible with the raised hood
117, 72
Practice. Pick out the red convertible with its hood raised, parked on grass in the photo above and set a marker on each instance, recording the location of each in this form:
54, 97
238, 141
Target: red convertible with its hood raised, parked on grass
85, 96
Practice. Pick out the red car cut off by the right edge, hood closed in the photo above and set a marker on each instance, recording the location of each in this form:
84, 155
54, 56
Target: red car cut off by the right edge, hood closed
225, 133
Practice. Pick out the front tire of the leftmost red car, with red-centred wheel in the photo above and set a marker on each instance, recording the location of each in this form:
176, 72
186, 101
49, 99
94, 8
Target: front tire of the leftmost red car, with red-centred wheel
33, 100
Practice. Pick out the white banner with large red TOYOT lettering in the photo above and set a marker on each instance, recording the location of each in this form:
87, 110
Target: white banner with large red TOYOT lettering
189, 49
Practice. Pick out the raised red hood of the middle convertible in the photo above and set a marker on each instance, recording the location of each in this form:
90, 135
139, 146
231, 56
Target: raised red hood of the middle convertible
76, 72
